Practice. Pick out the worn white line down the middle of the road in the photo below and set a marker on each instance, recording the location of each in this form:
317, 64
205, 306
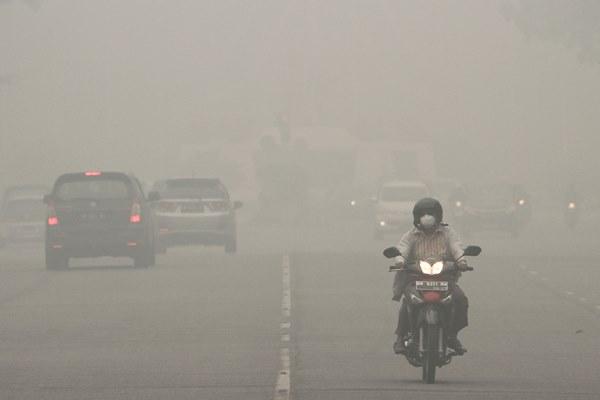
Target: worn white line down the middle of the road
283, 385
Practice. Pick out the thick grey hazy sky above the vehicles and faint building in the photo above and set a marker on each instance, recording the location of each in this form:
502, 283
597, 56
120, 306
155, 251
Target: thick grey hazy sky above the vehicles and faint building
124, 85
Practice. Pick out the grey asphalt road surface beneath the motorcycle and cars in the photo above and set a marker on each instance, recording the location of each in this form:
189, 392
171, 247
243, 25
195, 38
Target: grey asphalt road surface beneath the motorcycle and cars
204, 325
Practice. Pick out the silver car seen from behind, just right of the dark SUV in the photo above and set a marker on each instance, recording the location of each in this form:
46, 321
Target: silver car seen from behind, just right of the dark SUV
196, 211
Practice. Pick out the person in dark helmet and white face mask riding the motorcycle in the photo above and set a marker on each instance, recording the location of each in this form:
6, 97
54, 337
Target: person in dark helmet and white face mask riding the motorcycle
430, 238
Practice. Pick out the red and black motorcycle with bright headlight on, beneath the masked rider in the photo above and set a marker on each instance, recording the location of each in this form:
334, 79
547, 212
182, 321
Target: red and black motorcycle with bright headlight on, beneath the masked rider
430, 309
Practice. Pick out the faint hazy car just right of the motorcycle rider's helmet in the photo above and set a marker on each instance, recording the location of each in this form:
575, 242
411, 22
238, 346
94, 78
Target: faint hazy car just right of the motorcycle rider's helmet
494, 206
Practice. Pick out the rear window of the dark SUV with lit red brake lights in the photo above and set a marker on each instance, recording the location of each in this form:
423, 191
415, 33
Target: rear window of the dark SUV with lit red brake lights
93, 188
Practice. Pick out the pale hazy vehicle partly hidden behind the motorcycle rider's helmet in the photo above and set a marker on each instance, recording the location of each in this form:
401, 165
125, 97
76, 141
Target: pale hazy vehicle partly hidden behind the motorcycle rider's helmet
394, 205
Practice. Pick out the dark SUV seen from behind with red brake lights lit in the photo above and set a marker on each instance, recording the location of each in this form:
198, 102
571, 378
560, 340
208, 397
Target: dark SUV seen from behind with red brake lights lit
96, 214
